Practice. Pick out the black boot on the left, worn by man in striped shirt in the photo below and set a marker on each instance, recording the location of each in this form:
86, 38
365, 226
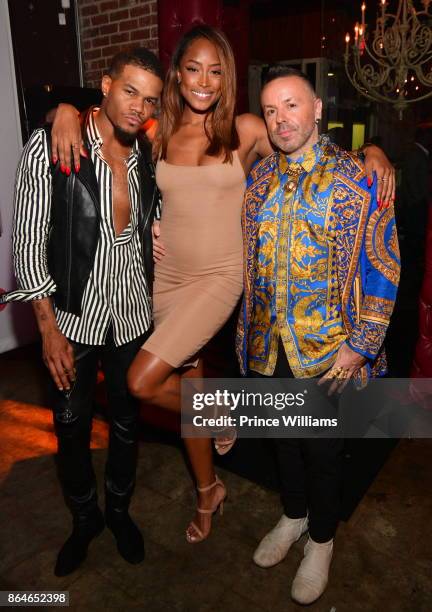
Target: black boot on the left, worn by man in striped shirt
86, 527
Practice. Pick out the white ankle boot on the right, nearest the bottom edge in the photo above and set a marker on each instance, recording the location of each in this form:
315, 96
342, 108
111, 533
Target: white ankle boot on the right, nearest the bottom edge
312, 575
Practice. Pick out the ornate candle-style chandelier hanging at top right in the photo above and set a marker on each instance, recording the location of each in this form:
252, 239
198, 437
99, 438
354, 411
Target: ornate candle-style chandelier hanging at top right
393, 63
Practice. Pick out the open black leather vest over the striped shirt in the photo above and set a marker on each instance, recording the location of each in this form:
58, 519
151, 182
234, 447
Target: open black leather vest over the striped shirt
75, 225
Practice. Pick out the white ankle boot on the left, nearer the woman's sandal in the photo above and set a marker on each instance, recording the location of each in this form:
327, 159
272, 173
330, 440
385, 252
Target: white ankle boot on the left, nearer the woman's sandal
275, 545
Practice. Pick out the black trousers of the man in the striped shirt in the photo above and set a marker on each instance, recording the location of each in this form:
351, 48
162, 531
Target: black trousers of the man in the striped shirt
73, 423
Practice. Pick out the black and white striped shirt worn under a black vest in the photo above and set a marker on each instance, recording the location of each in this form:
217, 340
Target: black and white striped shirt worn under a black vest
116, 291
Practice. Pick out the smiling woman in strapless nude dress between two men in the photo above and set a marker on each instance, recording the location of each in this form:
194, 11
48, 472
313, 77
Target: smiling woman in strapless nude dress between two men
204, 154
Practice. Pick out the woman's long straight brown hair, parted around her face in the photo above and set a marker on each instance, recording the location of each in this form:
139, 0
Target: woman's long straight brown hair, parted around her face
221, 133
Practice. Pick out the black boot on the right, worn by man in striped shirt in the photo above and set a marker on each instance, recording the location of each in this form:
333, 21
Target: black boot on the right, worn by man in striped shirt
130, 542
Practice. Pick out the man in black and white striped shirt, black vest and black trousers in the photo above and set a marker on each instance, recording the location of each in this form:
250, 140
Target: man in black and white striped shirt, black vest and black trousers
83, 257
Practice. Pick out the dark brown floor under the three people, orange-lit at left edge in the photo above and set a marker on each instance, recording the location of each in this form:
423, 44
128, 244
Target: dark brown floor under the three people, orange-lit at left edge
383, 554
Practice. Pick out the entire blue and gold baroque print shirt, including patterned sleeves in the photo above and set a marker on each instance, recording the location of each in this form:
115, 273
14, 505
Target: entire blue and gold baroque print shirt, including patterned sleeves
327, 265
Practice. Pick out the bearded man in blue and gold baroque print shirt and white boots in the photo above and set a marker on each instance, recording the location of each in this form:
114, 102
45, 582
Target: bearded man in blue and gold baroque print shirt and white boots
321, 275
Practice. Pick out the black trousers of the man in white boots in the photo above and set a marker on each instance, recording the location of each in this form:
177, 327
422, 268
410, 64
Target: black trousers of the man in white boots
310, 474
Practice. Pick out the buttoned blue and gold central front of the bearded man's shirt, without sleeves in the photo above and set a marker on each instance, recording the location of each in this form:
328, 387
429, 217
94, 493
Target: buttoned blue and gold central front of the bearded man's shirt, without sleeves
295, 292
